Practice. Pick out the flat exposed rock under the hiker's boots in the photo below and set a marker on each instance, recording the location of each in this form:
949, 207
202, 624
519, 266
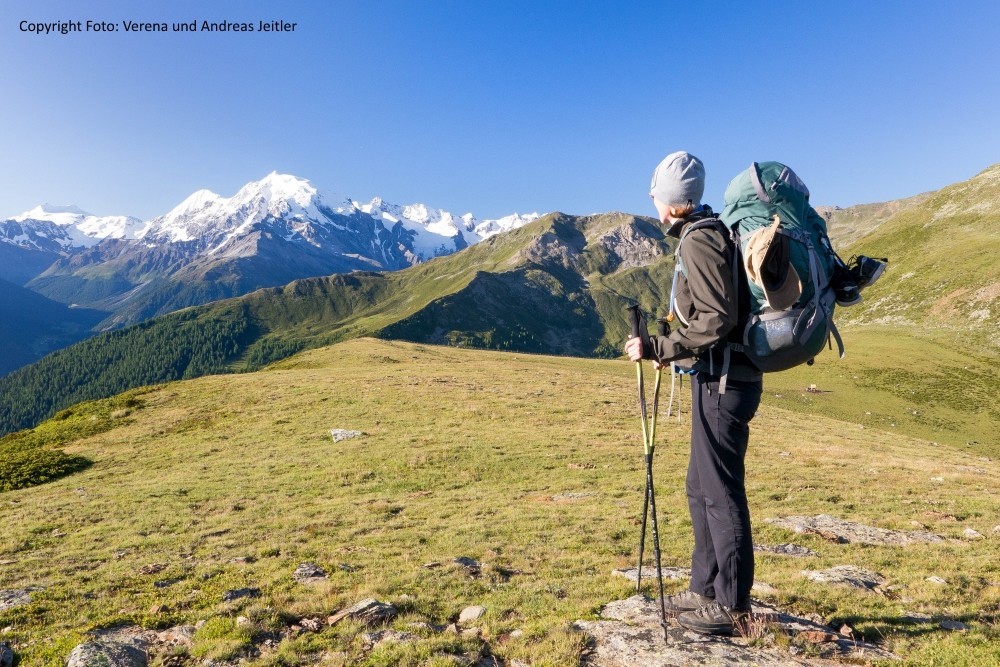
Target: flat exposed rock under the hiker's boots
633, 636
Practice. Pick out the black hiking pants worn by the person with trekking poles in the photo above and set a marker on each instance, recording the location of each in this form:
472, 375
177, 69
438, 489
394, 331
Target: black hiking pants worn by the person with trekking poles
722, 562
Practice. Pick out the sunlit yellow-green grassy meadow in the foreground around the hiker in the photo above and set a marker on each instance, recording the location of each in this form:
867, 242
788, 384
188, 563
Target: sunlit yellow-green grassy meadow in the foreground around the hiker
463, 454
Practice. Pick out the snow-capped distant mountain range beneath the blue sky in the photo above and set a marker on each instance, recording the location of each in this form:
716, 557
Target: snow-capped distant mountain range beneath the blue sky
209, 247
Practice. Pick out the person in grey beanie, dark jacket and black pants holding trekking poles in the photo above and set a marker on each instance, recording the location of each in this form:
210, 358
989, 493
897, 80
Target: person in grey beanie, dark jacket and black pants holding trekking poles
705, 303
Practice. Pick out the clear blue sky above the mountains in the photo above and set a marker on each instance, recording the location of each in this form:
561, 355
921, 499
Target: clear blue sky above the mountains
494, 107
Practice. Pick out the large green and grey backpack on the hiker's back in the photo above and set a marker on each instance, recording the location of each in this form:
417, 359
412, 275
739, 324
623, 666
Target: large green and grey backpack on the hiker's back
776, 340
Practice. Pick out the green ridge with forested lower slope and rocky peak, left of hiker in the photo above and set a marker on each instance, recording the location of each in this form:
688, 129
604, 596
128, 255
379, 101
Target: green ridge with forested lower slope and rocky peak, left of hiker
558, 286
